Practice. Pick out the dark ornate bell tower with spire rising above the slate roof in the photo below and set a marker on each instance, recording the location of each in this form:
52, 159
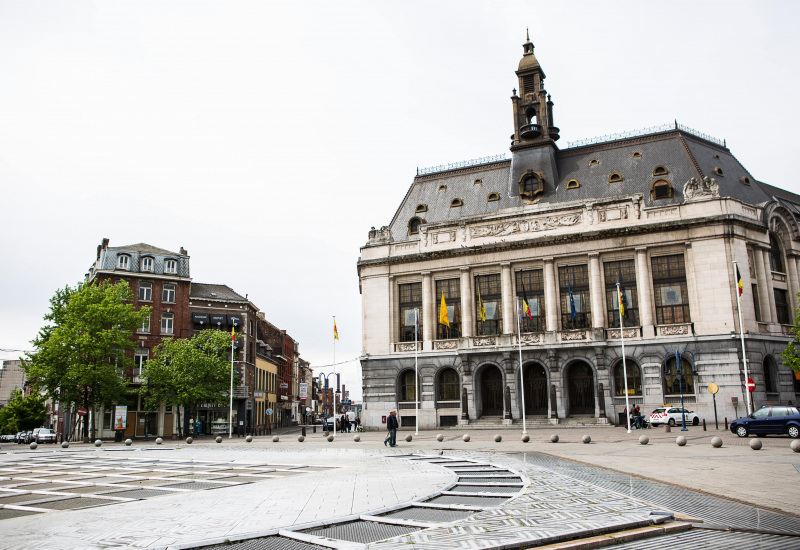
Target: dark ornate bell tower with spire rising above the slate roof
533, 109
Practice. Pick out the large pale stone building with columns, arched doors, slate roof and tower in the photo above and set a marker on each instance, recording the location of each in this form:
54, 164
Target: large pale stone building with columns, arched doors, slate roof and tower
665, 212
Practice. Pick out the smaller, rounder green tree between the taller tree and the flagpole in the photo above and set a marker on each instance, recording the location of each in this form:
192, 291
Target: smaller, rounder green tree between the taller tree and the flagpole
189, 372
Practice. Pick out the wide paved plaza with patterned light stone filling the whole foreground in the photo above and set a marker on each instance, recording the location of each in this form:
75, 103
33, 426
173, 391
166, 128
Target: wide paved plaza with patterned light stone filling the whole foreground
481, 494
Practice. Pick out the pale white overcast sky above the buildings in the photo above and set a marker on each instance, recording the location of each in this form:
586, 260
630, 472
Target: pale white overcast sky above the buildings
268, 137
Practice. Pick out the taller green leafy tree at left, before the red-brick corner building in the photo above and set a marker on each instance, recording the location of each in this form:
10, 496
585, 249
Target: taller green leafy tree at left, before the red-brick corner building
80, 355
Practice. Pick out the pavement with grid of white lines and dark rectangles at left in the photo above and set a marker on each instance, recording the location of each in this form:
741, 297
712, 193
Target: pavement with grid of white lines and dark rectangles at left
40, 484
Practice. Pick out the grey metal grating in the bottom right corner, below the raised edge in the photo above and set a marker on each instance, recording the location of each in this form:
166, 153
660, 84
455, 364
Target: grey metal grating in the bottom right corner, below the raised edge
713, 540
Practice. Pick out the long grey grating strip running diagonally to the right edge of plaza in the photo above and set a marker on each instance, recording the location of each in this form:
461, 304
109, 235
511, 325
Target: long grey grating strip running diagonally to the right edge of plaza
712, 510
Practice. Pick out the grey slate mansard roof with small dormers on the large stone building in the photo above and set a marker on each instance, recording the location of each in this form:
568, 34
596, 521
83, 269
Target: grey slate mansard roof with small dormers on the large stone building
683, 154
